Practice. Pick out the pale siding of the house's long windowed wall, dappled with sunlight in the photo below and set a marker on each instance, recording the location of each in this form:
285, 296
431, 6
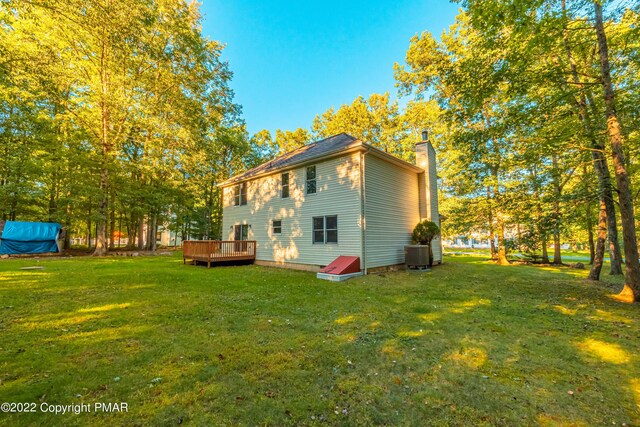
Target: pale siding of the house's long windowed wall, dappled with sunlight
338, 193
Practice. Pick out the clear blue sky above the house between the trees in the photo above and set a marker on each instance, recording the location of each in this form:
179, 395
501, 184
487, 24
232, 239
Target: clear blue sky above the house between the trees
294, 59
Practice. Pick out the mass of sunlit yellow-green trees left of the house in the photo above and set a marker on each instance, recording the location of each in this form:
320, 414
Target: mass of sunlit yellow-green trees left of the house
115, 115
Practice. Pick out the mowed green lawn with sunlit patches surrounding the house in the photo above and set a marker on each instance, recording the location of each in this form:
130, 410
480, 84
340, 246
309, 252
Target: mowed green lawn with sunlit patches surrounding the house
469, 343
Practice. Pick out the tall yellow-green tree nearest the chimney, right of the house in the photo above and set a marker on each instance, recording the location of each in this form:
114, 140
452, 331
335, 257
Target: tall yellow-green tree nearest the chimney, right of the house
465, 77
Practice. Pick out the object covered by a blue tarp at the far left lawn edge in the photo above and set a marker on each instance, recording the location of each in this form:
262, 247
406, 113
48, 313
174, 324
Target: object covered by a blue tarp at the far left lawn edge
29, 237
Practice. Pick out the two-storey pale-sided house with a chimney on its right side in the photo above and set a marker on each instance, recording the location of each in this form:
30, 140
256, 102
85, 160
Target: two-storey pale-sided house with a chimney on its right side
337, 196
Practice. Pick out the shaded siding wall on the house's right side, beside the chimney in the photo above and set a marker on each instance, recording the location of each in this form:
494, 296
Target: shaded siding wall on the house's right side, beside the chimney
391, 211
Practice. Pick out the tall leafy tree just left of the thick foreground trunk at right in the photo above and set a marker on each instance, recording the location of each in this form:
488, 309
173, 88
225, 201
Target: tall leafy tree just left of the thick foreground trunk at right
562, 39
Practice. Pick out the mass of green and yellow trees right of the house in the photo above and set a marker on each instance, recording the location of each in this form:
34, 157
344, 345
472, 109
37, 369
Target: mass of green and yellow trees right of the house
518, 83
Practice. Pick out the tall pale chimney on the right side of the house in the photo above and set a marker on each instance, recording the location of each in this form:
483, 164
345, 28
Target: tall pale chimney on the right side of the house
428, 187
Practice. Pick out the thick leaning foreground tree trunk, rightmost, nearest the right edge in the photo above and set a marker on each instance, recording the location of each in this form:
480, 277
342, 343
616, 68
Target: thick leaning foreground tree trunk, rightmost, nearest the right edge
631, 291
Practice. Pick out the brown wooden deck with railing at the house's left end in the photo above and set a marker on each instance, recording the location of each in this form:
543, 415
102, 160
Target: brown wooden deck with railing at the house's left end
212, 251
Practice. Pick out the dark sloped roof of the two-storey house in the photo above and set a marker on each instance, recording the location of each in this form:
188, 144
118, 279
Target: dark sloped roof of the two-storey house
310, 152
